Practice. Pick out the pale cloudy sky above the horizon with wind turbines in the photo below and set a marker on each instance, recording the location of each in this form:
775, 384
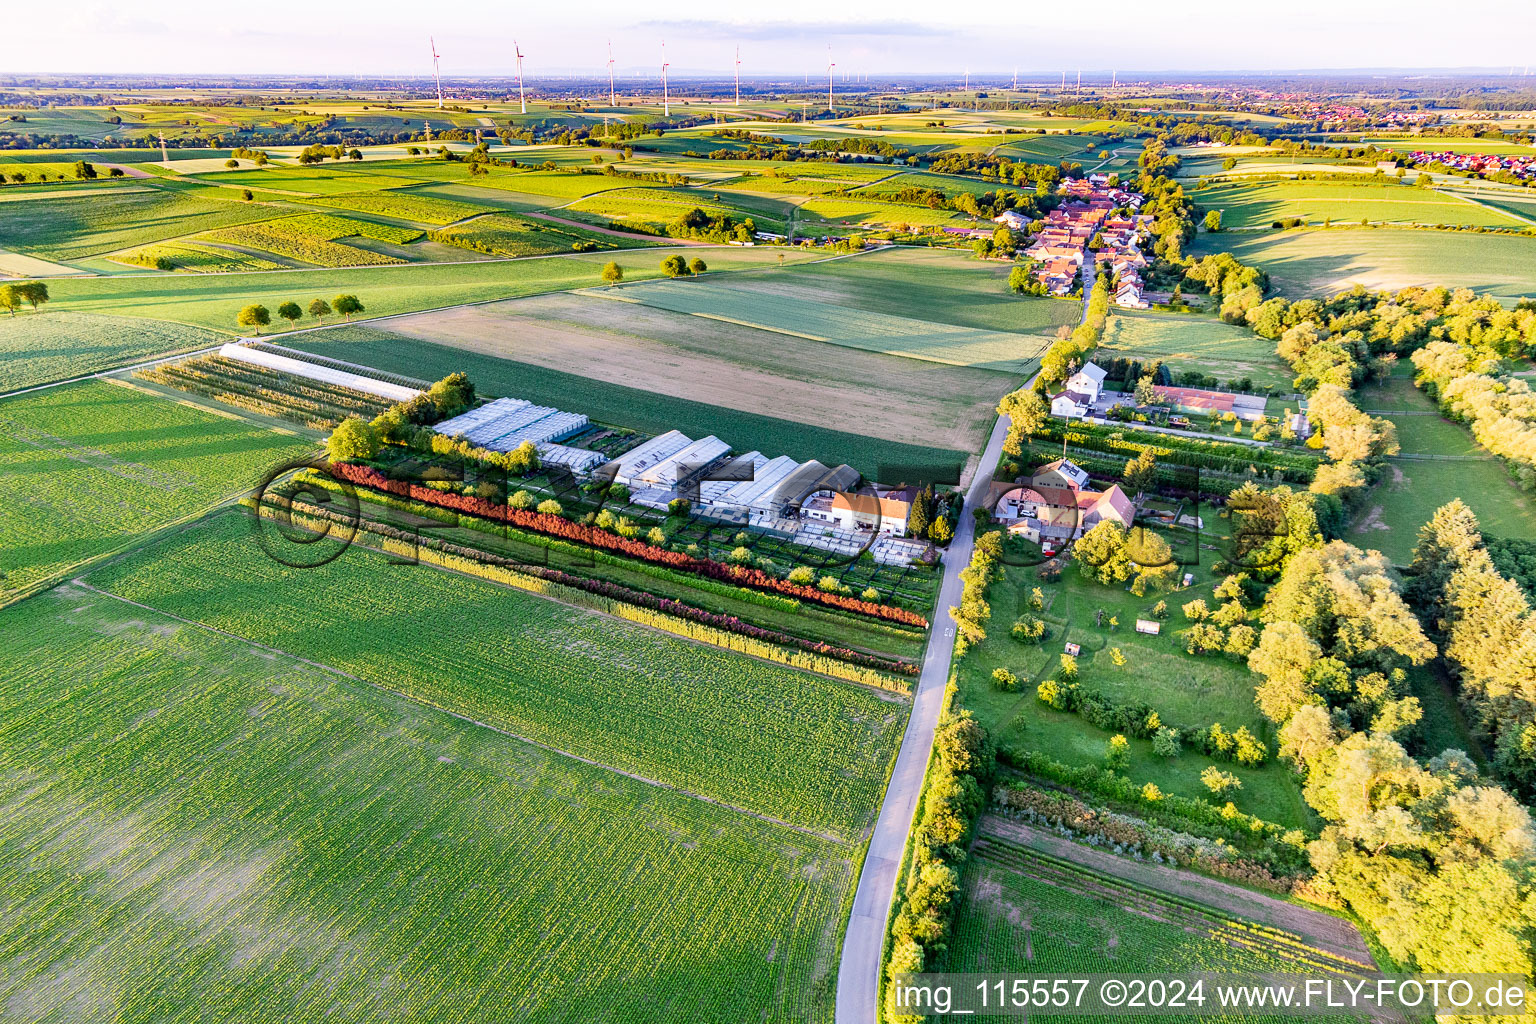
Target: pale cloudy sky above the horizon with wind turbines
988, 38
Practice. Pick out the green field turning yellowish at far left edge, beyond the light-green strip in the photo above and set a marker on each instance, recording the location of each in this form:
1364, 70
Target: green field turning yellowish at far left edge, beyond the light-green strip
91, 225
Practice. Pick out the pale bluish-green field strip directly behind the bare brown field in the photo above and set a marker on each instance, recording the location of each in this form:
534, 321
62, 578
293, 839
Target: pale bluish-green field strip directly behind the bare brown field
756, 305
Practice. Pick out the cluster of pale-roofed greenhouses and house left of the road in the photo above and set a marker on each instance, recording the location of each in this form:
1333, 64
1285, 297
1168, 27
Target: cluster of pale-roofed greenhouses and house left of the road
780, 494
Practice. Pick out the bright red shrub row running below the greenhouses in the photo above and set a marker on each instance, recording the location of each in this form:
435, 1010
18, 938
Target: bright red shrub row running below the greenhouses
560, 527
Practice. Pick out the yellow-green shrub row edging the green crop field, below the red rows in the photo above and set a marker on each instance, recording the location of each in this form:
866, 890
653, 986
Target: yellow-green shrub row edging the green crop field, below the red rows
661, 613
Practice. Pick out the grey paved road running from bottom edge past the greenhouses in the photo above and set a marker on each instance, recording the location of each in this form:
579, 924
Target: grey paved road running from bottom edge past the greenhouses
859, 974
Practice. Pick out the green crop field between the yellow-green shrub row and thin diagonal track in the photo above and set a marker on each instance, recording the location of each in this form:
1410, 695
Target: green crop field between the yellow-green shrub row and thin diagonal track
758, 736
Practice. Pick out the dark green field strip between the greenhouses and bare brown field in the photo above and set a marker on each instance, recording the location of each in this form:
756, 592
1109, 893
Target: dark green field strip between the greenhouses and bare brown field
634, 408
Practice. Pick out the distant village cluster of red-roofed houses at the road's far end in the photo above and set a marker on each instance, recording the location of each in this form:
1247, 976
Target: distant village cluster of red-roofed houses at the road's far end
1087, 213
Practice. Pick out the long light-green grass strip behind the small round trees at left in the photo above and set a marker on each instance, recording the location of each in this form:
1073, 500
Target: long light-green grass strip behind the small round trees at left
214, 300
